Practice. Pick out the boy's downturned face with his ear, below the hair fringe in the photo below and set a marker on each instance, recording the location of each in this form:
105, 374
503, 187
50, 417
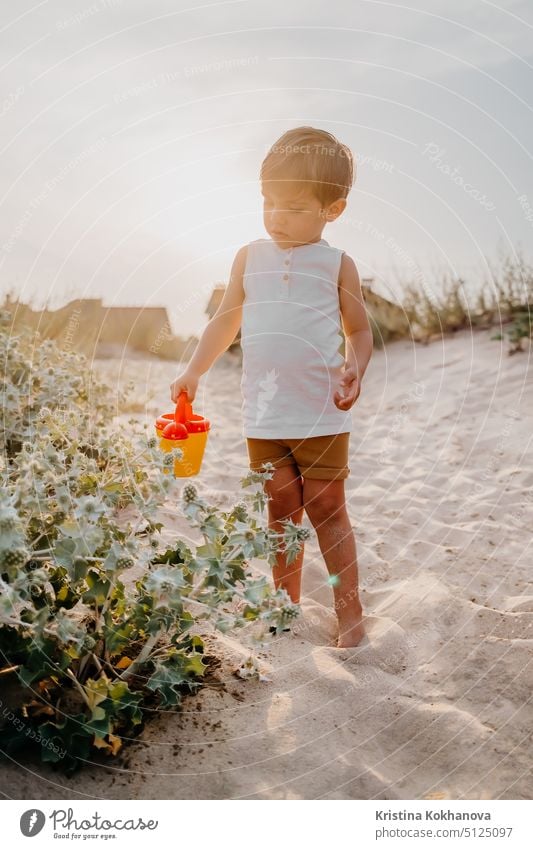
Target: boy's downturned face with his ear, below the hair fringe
293, 215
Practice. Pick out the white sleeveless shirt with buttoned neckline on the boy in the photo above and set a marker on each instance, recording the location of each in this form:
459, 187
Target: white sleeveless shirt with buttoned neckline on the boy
291, 339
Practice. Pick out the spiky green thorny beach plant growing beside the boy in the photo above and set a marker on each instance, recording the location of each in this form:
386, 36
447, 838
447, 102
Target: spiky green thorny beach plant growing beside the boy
99, 621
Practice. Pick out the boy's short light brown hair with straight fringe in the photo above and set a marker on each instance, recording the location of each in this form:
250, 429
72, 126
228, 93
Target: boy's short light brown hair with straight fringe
315, 157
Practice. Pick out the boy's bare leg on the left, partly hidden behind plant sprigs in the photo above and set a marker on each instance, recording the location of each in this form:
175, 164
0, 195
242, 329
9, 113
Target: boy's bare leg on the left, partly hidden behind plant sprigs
285, 491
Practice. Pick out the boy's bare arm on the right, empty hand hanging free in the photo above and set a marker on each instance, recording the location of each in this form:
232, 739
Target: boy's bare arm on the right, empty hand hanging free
359, 341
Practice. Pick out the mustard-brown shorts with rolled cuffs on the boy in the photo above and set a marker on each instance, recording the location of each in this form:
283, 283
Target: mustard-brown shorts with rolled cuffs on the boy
319, 457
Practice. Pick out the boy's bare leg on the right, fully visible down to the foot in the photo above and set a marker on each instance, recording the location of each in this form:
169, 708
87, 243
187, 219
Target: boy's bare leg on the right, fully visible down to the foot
325, 505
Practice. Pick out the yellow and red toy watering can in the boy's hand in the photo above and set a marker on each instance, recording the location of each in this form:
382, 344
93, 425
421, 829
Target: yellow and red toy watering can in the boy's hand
183, 429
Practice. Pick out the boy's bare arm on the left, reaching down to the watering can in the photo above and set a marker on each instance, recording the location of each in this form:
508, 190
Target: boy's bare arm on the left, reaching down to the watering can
219, 333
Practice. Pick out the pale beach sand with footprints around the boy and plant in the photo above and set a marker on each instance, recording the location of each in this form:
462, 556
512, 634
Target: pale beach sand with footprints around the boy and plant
436, 702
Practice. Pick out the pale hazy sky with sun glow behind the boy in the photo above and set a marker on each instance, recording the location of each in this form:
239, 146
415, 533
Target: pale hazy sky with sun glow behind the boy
133, 133
